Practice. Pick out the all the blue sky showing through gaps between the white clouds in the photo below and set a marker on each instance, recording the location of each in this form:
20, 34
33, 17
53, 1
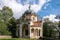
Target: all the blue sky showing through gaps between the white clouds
51, 7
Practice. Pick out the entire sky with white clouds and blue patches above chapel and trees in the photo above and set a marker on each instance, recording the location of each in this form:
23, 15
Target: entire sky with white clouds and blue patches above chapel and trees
43, 8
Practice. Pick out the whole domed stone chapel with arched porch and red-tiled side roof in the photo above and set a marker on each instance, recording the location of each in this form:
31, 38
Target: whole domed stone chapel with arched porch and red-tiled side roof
29, 26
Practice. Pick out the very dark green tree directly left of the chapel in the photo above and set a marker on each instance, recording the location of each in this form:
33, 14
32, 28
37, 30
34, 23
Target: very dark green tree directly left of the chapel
12, 26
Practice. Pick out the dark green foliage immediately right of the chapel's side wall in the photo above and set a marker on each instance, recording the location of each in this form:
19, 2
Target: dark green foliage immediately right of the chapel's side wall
48, 29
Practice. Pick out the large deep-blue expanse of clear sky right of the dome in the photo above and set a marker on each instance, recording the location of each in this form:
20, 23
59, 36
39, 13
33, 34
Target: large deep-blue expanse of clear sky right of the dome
52, 8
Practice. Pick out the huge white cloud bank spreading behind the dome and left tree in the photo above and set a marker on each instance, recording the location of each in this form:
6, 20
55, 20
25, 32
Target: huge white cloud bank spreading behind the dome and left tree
18, 8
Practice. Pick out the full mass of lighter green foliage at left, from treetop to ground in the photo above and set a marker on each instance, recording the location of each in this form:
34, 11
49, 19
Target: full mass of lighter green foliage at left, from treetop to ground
5, 16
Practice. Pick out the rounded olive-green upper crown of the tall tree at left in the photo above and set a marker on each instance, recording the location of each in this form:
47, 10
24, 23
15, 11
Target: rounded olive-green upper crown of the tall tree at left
7, 14
